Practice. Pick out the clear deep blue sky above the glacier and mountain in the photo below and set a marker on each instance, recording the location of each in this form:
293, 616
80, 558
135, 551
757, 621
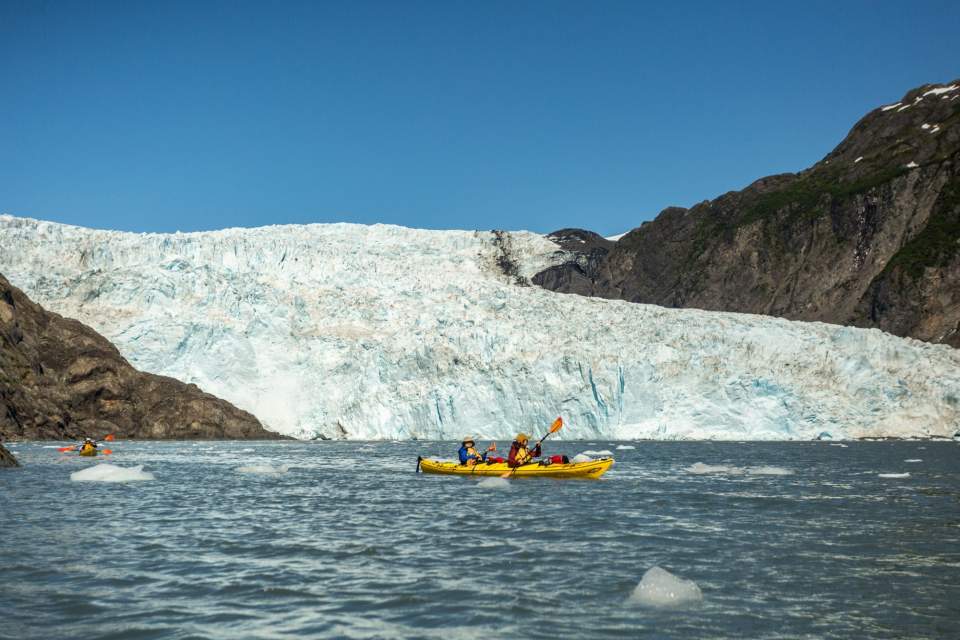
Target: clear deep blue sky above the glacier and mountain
158, 116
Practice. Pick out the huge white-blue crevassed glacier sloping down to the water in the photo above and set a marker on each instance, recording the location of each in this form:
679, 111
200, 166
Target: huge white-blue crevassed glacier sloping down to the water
385, 332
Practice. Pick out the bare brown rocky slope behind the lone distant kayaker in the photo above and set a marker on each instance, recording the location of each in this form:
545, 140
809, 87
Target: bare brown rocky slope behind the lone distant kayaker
60, 379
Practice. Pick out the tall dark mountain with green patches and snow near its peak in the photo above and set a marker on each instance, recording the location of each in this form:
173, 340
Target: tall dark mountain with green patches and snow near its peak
869, 236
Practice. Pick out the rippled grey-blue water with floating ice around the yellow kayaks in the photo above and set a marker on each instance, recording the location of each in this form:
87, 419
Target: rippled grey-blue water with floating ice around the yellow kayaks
344, 540
